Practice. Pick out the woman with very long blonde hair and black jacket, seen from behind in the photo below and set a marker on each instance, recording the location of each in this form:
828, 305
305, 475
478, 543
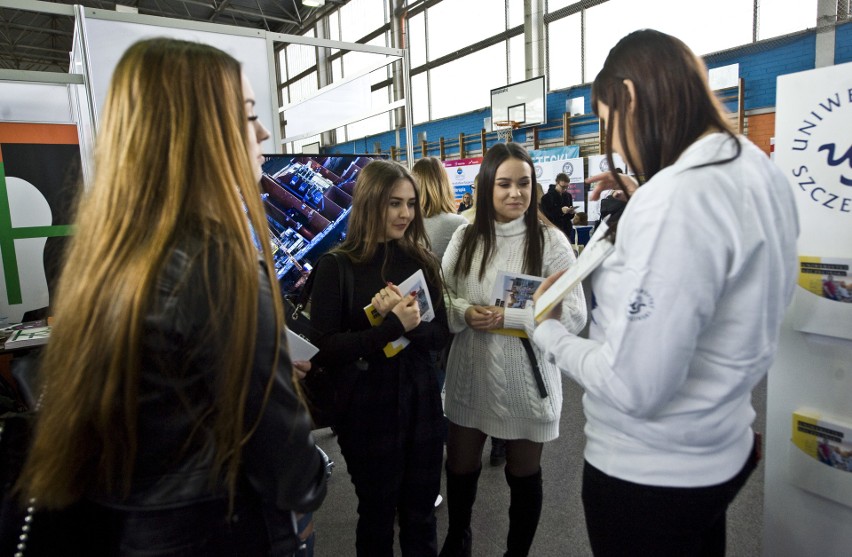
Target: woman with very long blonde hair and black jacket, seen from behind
170, 411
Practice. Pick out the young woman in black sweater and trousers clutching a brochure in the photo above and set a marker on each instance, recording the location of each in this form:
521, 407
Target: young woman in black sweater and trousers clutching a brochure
389, 418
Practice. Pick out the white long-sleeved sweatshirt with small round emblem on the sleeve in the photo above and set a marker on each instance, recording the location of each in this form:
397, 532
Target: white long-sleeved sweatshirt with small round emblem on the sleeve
688, 311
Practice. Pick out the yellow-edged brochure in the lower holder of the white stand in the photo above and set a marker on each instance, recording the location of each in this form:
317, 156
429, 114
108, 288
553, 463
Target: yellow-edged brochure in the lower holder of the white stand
824, 438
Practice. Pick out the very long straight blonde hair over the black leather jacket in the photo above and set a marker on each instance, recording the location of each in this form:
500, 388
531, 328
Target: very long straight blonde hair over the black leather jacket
171, 163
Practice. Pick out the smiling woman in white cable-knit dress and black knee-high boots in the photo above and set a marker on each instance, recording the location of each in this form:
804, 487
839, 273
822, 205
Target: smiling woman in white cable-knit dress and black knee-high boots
492, 386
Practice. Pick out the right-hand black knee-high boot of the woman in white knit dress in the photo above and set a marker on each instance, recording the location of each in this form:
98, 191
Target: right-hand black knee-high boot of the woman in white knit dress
524, 512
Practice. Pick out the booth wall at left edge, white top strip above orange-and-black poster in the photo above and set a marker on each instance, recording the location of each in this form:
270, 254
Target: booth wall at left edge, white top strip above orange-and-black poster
39, 169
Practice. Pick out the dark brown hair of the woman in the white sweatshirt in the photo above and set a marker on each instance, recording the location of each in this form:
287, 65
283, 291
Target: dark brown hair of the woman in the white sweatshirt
672, 105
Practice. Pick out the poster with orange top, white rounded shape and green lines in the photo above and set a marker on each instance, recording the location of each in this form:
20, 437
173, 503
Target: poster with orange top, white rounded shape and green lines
39, 180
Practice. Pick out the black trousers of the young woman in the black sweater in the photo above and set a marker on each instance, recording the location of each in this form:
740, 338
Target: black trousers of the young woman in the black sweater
391, 438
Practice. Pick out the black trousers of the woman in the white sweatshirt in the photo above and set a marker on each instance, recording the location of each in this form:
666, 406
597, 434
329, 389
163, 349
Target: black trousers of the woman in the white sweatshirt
625, 518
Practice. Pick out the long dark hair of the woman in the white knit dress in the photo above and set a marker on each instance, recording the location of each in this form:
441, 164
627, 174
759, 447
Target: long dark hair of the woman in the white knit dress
482, 229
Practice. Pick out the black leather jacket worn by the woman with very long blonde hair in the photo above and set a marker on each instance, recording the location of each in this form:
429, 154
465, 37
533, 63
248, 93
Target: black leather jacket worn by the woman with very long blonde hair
282, 471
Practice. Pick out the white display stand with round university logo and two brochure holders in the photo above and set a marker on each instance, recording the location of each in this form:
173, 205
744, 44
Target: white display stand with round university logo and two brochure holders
808, 494
